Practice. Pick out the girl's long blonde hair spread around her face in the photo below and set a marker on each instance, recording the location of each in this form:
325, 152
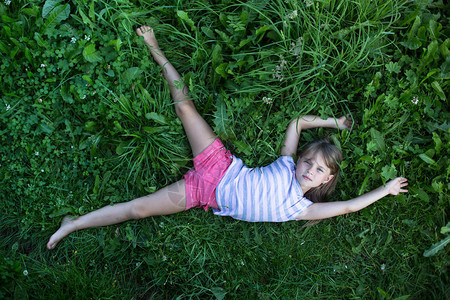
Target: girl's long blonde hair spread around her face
332, 157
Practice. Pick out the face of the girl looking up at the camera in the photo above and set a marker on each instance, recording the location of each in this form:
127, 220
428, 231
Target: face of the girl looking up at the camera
312, 171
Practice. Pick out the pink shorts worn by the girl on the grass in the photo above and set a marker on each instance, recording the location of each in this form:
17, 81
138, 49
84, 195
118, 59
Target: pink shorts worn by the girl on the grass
201, 182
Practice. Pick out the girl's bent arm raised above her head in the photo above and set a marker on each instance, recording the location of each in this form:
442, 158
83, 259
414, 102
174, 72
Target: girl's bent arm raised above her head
306, 122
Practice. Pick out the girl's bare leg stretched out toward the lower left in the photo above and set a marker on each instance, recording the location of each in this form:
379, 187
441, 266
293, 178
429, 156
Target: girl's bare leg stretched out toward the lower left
169, 200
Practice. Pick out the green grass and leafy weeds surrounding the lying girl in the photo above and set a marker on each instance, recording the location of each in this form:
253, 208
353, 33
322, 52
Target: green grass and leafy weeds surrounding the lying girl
89, 122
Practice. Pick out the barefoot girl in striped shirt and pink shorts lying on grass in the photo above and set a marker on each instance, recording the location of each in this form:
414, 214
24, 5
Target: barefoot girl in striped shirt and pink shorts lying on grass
282, 191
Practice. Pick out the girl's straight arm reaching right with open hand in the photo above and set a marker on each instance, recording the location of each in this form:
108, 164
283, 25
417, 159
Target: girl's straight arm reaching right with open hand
325, 210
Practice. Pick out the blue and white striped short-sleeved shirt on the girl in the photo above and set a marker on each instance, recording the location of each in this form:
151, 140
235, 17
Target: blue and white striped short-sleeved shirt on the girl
267, 194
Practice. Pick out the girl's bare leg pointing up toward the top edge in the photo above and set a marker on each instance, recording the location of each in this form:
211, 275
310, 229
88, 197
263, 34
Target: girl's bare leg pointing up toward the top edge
199, 133
